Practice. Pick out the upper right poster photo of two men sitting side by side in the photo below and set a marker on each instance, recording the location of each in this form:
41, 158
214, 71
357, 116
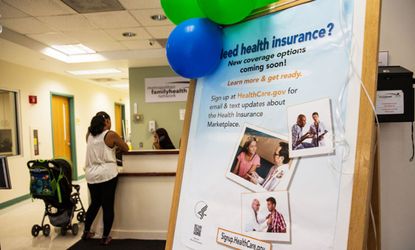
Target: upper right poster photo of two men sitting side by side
310, 128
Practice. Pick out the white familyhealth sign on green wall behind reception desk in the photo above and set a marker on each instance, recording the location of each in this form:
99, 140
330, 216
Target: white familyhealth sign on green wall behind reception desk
166, 89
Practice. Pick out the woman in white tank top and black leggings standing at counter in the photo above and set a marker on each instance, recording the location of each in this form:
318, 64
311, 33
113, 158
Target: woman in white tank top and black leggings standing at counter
101, 172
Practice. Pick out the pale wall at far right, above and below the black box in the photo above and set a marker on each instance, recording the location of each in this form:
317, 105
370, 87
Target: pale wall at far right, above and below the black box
397, 173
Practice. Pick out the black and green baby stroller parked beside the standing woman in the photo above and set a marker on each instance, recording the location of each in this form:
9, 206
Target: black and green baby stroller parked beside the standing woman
51, 181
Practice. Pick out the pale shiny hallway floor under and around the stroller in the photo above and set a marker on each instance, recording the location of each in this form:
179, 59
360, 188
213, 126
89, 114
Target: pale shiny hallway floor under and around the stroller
16, 223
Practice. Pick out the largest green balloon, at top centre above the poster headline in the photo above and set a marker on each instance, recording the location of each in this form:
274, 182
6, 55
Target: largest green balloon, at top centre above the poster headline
226, 11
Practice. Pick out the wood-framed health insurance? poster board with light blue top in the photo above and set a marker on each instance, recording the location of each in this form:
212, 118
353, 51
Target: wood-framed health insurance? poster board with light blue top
278, 143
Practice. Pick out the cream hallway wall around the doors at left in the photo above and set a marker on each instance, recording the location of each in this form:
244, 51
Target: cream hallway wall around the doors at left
88, 99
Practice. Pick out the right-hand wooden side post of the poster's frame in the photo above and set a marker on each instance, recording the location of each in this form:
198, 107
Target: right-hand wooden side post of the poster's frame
365, 182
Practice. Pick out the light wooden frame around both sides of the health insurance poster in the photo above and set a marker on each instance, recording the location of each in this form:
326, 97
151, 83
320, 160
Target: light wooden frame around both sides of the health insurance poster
362, 234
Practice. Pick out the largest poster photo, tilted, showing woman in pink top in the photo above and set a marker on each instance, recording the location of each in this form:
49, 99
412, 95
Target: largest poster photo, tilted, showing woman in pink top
261, 161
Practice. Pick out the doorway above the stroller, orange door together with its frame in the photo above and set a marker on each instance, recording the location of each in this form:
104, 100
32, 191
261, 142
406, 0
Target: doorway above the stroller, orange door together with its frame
63, 130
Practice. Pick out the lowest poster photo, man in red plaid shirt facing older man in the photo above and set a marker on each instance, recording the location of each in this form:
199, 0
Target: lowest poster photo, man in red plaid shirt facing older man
266, 216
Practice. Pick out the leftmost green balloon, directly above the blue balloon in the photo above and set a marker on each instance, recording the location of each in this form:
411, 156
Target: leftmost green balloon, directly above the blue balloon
181, 10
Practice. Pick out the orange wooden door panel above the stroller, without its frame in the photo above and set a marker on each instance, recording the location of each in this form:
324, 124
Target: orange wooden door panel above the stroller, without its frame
61, 127
